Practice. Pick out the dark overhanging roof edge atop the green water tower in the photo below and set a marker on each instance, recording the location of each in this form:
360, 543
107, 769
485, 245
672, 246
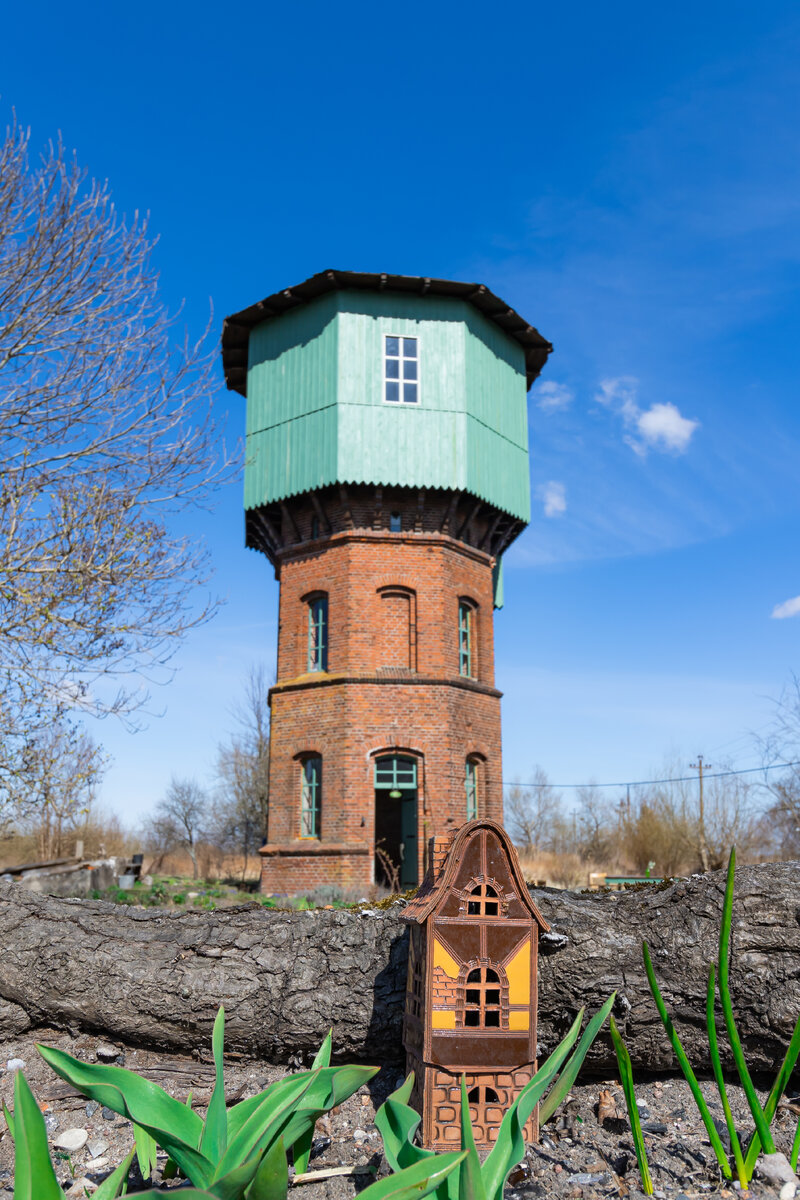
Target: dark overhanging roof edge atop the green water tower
236, 329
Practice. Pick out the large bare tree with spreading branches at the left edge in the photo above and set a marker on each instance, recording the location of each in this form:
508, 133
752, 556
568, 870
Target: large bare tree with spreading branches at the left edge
107, 437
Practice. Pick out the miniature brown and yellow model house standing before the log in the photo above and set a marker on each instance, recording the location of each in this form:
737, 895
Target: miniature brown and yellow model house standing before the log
472, 993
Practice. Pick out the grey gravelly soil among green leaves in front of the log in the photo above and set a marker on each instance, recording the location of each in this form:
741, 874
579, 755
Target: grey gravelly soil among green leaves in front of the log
578, 1156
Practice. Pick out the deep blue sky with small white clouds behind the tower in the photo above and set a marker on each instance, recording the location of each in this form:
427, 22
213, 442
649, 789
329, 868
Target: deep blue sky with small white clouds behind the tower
627, 178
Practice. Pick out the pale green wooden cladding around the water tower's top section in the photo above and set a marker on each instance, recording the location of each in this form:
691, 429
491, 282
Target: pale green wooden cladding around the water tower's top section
316, 413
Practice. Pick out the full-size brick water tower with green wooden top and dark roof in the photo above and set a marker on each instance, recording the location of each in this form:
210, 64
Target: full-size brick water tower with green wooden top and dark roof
386, 520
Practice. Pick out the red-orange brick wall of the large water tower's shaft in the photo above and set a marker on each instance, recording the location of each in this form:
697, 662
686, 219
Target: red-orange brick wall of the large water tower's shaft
364, 707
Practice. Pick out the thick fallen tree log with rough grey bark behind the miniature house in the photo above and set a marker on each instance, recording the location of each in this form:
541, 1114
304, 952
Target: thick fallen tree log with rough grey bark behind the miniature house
155, 977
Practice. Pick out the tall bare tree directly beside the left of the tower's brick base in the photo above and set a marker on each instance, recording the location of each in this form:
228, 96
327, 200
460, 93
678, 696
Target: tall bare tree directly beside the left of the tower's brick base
243, 803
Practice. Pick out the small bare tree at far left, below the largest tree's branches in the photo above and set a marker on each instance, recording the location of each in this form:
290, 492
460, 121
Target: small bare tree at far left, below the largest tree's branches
51, 793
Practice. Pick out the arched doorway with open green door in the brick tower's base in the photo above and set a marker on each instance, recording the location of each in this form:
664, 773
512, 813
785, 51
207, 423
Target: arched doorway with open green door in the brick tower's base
396, 836
